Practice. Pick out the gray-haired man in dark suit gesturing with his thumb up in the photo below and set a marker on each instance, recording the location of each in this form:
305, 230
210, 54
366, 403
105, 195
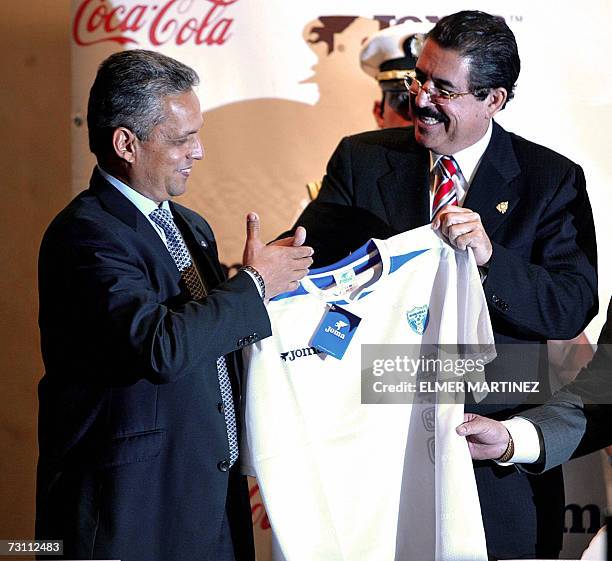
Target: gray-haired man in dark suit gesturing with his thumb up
140, 332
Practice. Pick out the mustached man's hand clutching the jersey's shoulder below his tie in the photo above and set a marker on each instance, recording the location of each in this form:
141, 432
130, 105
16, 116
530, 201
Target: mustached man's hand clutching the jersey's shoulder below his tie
462, 228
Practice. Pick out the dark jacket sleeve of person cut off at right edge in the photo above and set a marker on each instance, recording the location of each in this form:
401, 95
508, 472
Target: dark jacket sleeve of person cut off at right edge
578, 419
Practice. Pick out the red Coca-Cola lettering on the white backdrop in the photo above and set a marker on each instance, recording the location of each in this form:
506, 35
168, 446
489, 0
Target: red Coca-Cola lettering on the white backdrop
179, 21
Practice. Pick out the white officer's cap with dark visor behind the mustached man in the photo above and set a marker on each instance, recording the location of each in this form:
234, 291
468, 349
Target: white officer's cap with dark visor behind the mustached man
390, 53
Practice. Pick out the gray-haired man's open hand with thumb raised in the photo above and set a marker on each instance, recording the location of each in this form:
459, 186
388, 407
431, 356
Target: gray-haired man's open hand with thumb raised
282, 263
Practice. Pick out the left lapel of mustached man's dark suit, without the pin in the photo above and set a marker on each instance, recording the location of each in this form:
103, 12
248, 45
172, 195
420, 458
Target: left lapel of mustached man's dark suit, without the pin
405, 189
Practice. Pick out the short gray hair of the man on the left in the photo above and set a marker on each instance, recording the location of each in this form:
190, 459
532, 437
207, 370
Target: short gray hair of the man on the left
128, 92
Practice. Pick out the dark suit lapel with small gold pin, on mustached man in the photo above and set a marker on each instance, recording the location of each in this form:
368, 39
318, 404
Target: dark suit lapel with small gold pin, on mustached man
492, 193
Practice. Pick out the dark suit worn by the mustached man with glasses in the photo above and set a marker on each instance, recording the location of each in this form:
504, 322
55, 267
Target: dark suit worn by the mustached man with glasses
541, 282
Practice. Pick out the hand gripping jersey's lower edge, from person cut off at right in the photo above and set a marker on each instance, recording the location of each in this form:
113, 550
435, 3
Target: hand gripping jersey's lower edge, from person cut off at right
487, 439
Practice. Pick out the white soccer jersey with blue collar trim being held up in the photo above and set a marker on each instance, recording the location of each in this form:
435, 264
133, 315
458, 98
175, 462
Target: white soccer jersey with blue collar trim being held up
341, 480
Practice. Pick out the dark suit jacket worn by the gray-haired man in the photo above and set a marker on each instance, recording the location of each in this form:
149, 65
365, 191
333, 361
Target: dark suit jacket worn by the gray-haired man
132, 437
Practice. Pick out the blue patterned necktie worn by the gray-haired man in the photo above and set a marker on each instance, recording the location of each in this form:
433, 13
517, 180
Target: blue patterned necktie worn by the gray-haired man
179, 252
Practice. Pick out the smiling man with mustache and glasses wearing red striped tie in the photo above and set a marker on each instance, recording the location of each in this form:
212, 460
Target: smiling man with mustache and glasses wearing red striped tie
520, 207
